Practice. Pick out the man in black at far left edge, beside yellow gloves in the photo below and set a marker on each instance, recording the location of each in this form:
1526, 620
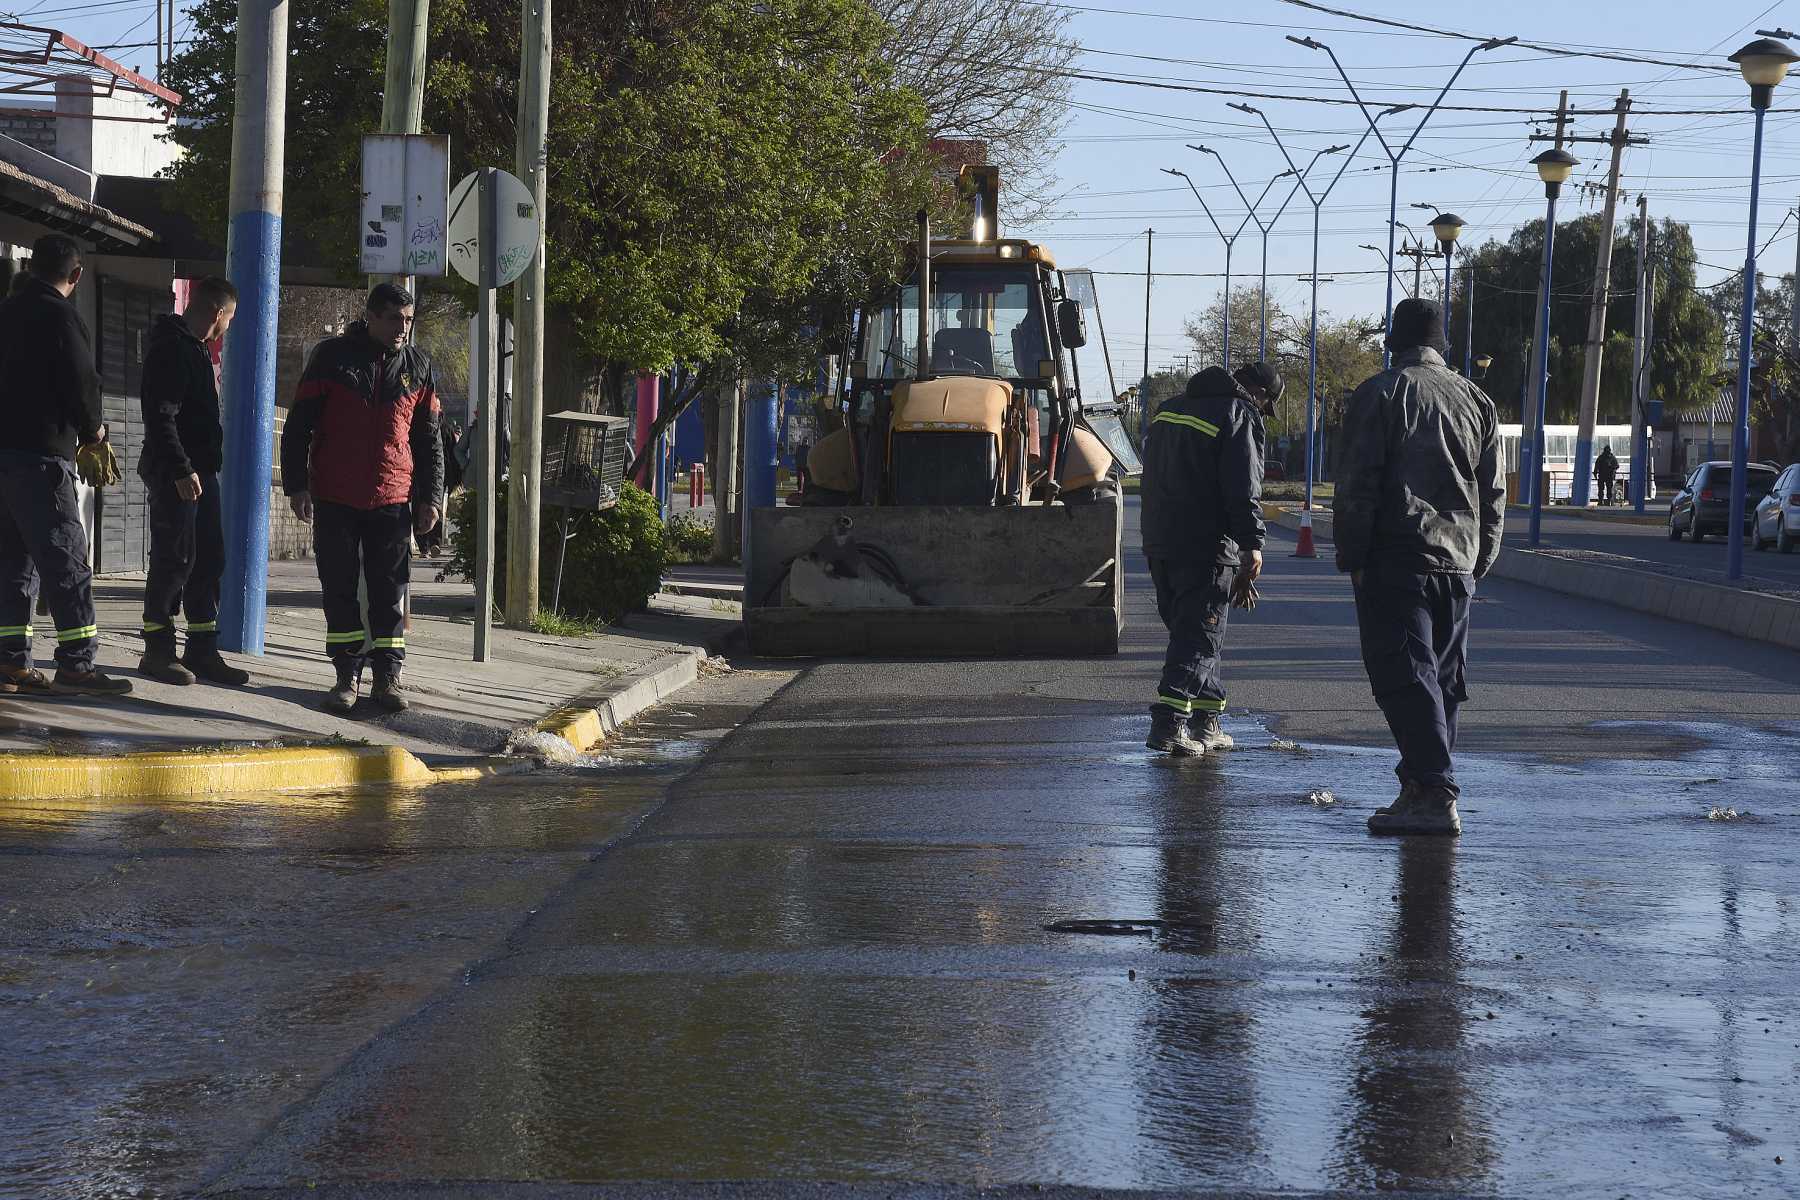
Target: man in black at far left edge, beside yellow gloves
49, 407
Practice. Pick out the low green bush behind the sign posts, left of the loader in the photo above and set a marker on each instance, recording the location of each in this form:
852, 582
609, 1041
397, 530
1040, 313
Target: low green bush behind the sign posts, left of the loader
615, 559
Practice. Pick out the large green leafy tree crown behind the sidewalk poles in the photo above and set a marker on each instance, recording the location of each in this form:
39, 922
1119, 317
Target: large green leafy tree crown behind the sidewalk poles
721, 175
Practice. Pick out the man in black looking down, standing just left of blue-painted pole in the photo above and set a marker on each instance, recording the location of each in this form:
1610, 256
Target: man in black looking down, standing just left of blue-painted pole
181, 465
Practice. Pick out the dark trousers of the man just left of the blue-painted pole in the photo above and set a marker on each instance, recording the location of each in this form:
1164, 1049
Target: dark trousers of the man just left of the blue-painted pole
186, 564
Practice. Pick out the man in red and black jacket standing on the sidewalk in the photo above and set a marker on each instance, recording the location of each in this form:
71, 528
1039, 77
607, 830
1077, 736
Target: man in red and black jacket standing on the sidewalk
361, 460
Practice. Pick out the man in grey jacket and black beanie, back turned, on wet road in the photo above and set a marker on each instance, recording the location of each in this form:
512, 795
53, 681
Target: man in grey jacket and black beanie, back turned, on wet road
1417, 521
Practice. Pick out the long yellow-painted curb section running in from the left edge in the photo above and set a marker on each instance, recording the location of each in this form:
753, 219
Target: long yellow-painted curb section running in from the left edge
210, 773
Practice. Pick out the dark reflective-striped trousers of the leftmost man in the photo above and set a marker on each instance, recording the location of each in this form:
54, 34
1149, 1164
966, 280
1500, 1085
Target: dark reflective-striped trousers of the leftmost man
42, 541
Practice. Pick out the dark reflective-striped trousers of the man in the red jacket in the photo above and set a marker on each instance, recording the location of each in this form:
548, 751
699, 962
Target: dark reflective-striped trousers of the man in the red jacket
373, 544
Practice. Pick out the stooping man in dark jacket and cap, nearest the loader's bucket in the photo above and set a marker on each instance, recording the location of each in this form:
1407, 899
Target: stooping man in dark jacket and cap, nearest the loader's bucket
1203, 533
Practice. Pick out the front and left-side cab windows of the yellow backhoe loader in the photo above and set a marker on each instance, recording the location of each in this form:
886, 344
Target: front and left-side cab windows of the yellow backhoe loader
985, 321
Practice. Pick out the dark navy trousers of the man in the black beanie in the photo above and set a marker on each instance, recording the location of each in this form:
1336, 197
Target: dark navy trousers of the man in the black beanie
1416, 641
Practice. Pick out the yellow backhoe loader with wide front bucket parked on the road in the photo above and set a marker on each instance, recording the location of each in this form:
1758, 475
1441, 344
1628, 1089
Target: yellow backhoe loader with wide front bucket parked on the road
971, 501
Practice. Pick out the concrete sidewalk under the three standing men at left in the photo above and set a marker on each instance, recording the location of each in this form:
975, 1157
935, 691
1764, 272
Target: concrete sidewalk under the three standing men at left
462, 712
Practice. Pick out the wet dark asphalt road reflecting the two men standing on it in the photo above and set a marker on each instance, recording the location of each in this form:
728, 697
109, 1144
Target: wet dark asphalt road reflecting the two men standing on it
832, 945
